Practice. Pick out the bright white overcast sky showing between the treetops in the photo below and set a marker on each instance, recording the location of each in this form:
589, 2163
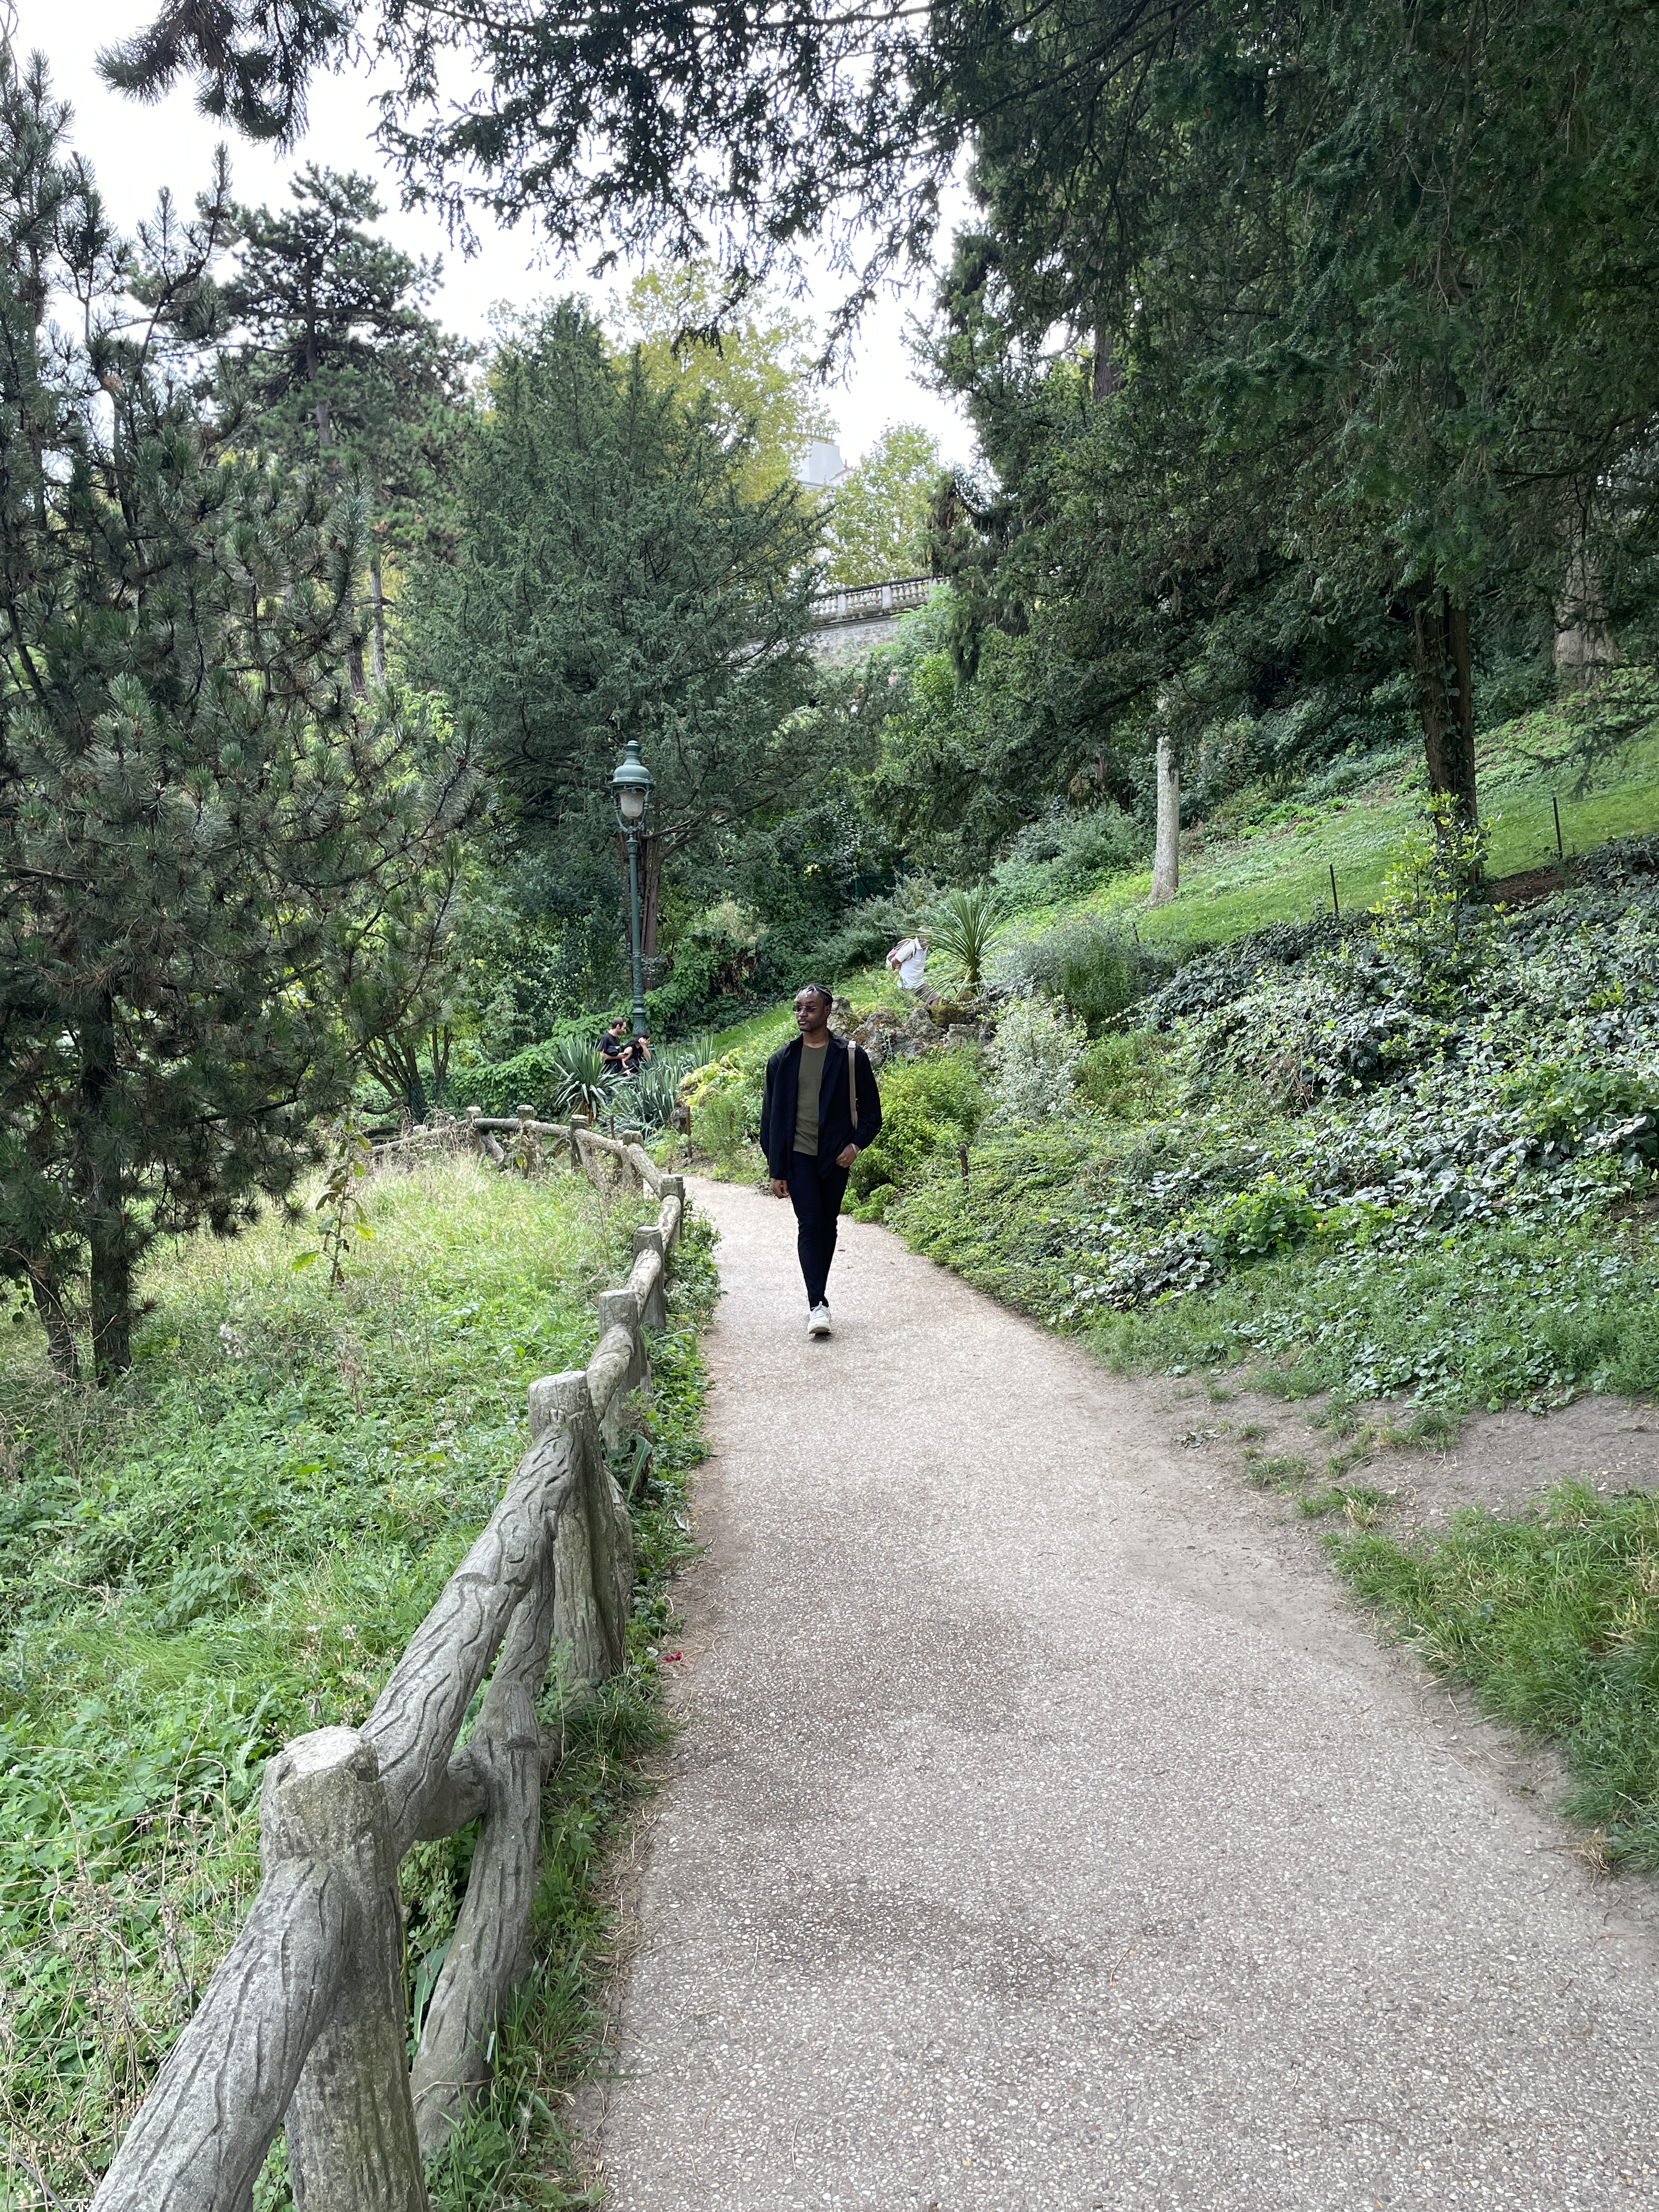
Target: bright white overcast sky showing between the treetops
138, 149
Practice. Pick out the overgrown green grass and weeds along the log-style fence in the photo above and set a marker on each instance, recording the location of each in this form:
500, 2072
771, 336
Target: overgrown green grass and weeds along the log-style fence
236, 1547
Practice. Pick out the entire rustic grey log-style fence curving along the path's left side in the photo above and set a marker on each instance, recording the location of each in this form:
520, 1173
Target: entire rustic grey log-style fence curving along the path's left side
304, 2027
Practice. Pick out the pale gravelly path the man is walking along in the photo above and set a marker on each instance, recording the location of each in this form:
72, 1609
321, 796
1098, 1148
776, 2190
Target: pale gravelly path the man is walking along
1047, 1833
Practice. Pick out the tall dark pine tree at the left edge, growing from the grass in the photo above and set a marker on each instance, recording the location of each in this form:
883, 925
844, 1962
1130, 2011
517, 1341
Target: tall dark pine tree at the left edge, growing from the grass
205, 851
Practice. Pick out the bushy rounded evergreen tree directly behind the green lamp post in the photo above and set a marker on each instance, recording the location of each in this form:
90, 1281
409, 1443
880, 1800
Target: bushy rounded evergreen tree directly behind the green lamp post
614, 581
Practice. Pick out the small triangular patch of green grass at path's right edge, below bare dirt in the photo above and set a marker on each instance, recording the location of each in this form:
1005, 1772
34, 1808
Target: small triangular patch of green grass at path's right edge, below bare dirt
1554, 1618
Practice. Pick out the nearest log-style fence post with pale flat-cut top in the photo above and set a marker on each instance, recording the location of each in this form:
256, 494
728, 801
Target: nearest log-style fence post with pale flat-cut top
351, 2122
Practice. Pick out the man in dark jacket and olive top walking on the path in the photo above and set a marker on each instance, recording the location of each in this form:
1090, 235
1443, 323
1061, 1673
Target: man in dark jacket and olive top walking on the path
822, 1112
